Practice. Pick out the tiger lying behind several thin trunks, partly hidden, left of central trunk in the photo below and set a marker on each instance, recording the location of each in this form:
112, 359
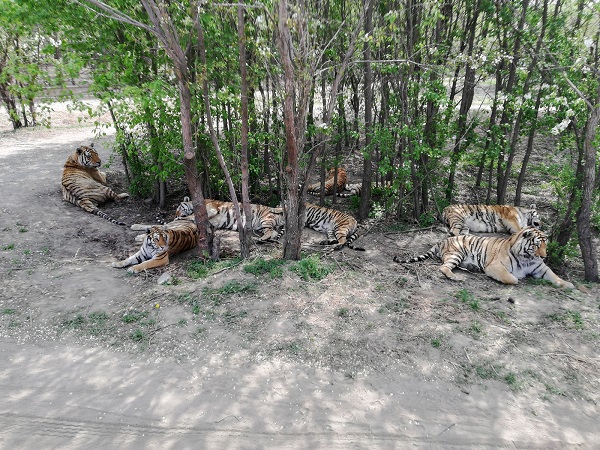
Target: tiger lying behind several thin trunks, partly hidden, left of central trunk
221, 216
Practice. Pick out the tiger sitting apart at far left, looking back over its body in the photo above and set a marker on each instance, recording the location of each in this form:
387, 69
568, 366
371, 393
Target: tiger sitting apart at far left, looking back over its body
84, 185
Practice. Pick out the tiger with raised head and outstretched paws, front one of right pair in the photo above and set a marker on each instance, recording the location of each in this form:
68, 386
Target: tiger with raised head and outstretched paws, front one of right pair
505, 259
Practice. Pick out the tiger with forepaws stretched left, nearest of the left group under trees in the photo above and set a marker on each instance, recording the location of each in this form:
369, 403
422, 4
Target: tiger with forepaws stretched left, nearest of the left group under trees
161, 242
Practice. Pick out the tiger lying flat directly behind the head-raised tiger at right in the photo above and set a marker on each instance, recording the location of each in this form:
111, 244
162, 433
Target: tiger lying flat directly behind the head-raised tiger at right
489, 218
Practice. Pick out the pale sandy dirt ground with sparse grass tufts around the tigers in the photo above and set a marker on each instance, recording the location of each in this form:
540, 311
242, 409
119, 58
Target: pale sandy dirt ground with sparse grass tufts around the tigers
374, 355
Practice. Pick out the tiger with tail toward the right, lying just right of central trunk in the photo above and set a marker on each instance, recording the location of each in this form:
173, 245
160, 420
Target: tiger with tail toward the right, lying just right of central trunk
341, 228
